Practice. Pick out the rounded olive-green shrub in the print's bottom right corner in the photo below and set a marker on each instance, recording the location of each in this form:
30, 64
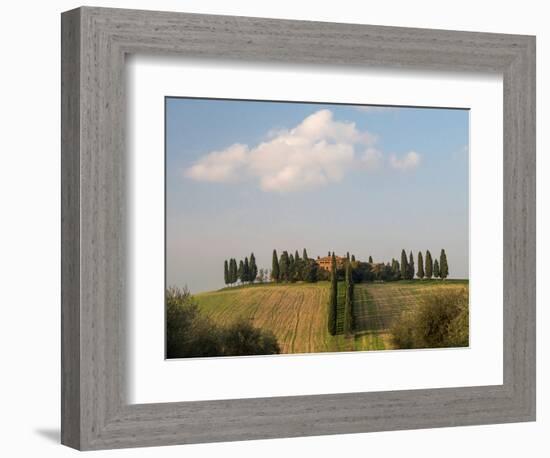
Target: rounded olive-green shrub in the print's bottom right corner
441, 320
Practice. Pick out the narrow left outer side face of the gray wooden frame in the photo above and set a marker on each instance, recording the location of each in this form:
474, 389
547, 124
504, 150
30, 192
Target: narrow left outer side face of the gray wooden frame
70, 229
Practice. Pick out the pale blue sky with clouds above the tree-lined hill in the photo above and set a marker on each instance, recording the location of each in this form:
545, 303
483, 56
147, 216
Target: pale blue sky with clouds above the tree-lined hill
245, 176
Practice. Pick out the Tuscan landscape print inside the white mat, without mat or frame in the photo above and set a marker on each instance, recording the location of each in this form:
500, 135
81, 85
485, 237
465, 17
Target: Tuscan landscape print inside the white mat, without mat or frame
296, 227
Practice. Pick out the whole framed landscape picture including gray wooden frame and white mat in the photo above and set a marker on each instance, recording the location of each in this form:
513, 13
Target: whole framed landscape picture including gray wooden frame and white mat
279, 228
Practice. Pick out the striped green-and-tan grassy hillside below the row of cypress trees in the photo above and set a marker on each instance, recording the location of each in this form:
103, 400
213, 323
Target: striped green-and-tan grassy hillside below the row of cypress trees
297, 313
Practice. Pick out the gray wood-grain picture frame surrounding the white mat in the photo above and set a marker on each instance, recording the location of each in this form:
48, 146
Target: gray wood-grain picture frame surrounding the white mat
95, 413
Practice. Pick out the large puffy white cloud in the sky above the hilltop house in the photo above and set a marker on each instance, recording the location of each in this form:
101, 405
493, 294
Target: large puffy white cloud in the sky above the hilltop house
318, 151
